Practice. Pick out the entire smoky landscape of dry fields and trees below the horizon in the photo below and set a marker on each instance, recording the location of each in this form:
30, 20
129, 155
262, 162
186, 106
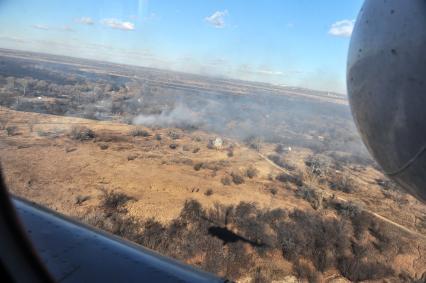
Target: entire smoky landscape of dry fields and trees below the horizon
250, 181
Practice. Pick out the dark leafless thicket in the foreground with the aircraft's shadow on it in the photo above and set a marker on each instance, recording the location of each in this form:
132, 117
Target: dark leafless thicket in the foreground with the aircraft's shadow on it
233, 240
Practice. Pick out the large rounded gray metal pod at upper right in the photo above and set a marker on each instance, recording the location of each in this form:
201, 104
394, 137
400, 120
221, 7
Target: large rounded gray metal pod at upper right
387, 87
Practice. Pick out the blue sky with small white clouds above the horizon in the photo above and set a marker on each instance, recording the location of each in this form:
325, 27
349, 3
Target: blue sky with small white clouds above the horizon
299, 43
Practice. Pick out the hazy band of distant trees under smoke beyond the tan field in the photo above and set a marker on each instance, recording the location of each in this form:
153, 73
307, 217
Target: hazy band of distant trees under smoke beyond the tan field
322, 127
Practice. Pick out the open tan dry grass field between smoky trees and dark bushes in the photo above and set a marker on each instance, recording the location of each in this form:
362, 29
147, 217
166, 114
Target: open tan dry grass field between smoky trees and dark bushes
44, 164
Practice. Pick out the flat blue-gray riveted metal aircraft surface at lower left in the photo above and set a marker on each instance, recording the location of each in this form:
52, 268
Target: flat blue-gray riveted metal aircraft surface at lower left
76, 253
